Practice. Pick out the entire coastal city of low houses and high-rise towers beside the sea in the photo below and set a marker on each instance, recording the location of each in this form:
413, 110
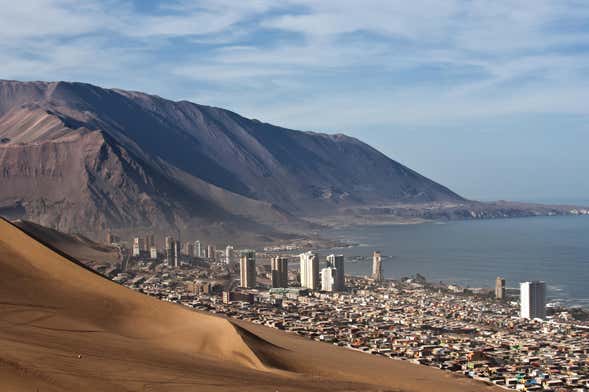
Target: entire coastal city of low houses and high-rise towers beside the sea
497, 336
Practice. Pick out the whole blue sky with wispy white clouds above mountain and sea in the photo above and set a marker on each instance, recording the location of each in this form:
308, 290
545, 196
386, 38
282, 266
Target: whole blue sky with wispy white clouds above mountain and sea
490, 98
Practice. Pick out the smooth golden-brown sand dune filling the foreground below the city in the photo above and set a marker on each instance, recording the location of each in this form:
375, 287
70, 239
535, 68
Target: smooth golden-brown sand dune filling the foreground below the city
64, 328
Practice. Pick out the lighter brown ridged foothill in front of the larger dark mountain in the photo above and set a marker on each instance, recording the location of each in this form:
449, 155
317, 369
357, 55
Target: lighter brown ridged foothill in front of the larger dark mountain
85, 182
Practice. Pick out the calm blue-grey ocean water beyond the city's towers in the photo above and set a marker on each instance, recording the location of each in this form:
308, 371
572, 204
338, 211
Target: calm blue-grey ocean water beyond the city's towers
473, 253
